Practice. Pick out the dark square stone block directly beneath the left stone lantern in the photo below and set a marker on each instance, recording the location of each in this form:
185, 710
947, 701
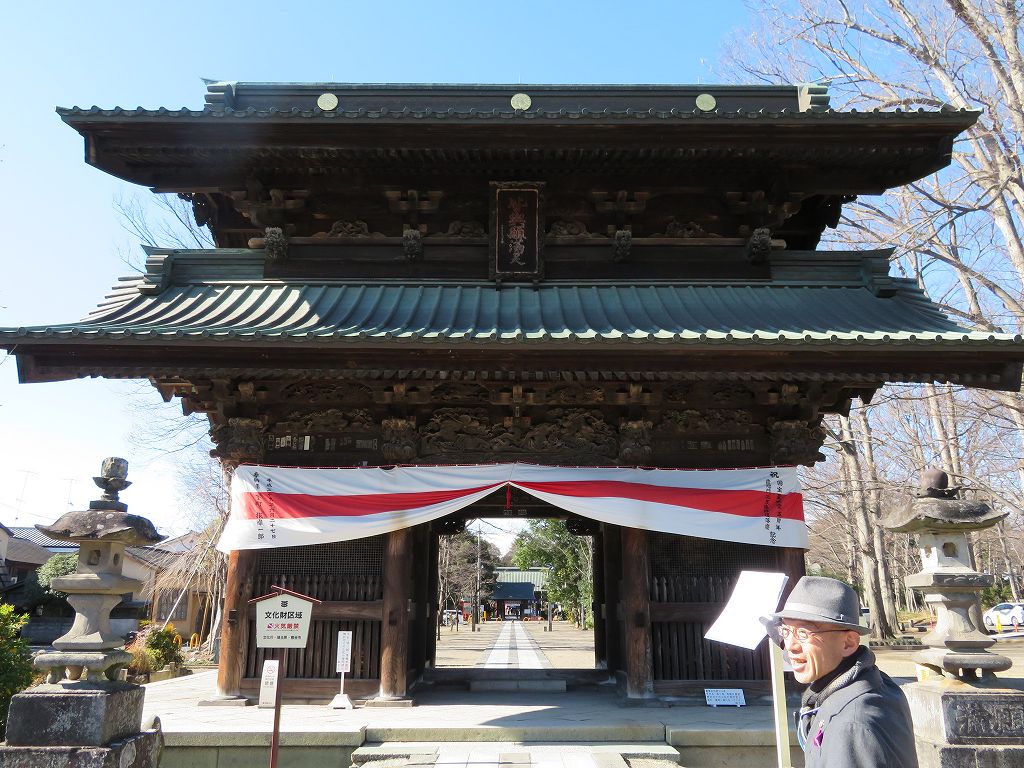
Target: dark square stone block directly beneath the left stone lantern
75, 713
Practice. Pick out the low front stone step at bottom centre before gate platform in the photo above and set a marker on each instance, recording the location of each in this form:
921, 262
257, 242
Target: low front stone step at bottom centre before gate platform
515, 755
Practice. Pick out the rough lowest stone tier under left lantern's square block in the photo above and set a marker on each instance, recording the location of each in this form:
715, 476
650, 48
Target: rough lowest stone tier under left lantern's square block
140, 751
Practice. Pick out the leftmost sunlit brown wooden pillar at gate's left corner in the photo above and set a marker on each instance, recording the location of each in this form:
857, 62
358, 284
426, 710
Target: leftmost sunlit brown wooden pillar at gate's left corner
235, 627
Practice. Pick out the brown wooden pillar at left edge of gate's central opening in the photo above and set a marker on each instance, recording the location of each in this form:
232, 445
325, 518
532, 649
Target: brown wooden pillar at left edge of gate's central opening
395, 628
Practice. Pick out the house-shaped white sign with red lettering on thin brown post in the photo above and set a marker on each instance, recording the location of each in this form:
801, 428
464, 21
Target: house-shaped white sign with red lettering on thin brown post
282, 622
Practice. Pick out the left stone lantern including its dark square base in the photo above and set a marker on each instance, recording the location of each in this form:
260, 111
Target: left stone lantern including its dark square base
82, 716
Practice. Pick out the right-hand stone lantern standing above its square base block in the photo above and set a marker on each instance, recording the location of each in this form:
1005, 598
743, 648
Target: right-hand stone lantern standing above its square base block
942, 523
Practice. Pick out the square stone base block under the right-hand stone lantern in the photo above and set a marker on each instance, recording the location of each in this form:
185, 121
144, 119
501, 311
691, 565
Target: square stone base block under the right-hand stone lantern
976, 724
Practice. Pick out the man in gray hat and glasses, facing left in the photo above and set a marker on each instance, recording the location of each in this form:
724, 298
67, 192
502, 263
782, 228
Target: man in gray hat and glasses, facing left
852, 714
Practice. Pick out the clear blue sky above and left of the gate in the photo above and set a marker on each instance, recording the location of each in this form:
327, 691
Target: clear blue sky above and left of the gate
63, 240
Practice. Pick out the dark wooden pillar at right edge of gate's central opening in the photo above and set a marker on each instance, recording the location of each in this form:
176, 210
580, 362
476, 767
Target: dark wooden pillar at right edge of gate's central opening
636, 608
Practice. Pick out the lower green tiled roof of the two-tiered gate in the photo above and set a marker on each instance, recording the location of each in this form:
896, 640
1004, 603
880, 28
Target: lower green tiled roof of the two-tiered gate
711, 315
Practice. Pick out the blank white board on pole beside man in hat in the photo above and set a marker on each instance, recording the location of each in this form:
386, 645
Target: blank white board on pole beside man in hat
757, 594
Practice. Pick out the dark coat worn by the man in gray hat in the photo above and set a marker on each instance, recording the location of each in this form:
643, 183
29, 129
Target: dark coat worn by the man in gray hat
866, 724
